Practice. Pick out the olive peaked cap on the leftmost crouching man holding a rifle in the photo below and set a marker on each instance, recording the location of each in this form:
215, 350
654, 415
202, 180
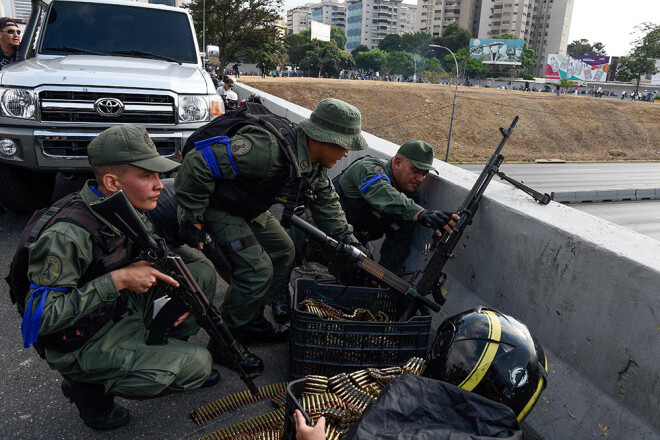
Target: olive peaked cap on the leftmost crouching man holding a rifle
128, 144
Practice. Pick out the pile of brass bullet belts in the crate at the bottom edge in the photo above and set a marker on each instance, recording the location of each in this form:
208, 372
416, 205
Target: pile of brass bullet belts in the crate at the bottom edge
343, 398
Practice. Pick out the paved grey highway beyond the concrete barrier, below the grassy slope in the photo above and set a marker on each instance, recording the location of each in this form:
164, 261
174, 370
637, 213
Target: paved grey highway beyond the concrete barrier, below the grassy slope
640, 216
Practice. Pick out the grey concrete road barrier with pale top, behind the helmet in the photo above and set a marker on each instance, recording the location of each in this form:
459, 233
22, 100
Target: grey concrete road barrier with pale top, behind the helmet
588, 289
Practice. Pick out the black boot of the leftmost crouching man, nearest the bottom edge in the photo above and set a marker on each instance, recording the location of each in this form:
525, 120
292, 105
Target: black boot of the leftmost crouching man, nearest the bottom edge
97, 409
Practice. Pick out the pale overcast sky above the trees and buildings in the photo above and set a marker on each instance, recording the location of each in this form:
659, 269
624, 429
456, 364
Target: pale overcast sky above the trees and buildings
606, 21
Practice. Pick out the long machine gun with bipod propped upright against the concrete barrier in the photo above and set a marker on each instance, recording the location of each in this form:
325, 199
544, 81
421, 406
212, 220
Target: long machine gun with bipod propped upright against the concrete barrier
442, 248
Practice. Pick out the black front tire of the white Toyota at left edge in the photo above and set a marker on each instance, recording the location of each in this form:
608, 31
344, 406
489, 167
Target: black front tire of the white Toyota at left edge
24, 191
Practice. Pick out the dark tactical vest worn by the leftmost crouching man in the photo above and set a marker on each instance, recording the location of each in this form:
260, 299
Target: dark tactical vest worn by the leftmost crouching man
109, 252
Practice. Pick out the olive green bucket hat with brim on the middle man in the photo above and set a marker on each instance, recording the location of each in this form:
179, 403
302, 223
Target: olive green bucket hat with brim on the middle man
336, 122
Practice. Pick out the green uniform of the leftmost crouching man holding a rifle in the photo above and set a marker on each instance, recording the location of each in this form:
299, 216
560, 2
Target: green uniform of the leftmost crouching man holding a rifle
117, 355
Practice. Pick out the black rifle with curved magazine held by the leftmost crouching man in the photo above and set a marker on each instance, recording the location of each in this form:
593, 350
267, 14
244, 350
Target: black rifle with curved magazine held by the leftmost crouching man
117, 210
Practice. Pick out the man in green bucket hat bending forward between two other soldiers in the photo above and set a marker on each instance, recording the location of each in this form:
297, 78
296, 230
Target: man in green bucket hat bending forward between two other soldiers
229, 184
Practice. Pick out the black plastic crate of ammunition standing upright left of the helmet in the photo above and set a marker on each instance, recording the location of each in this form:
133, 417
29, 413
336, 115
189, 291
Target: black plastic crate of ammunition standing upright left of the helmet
326, 347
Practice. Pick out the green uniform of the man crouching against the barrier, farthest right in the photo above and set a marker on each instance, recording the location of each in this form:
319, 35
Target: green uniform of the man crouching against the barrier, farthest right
389, 211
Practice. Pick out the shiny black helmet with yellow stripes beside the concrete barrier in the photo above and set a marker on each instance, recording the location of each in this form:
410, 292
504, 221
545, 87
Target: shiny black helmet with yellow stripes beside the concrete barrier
491, 354
